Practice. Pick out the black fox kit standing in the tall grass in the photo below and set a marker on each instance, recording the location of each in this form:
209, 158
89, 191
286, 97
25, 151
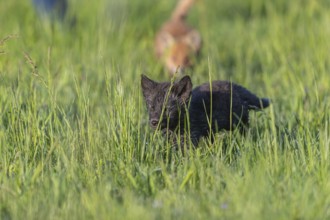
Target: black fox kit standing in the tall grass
211, 108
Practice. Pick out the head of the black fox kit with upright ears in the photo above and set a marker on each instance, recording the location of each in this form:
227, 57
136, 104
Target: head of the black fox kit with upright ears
166, 101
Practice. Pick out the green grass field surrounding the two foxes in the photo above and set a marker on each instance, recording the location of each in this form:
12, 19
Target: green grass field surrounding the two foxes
74, 137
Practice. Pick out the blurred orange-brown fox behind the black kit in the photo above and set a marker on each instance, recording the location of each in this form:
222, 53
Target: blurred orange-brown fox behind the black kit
176, 42
